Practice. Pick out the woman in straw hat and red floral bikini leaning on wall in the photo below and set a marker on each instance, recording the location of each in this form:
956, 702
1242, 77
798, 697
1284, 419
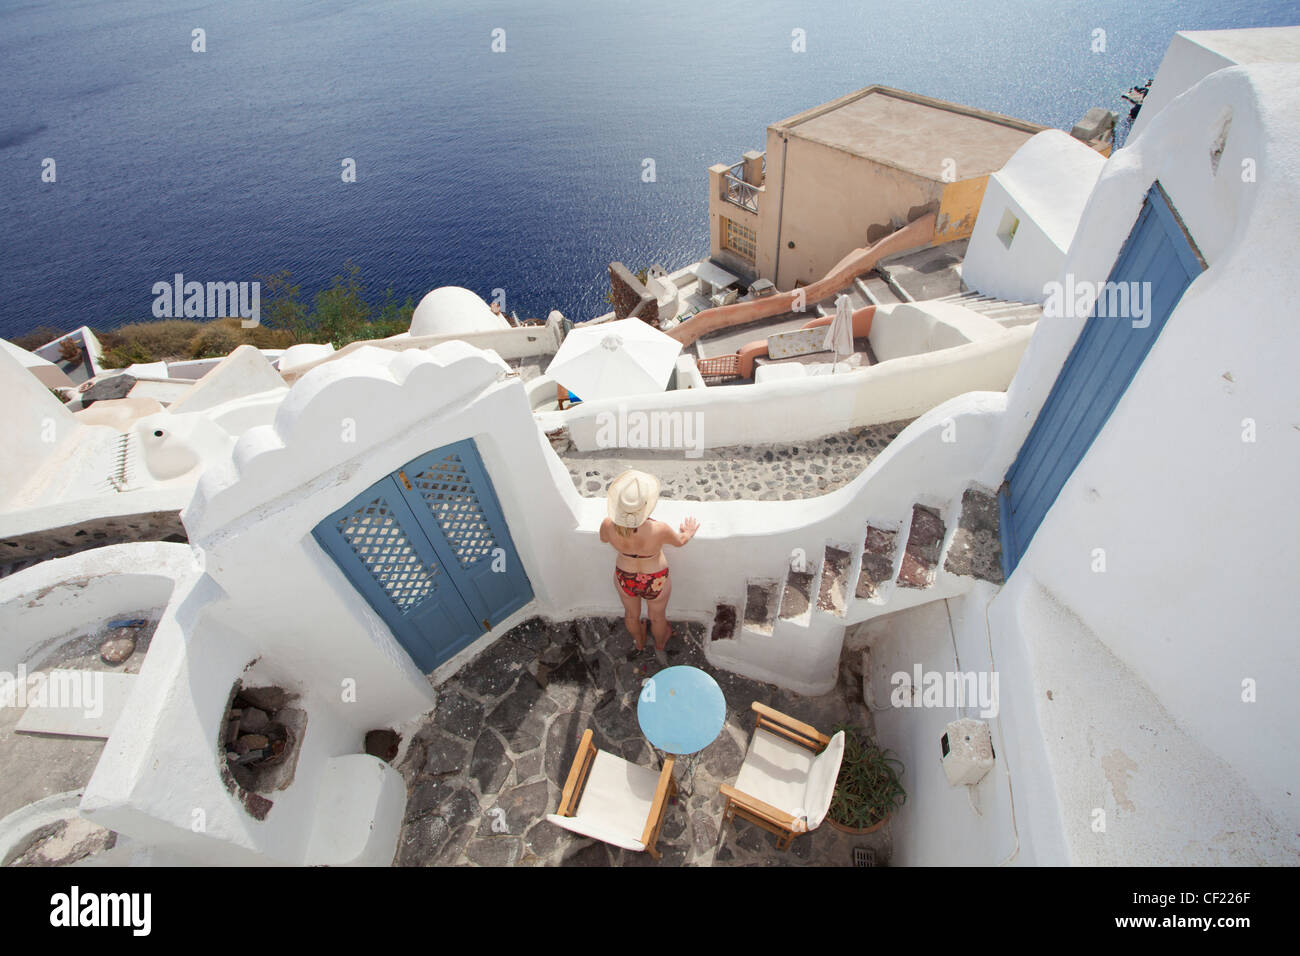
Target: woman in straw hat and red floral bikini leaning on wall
642, 570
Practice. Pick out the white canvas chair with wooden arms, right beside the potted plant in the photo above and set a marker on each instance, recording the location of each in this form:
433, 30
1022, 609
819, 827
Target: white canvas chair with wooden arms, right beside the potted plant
788, 777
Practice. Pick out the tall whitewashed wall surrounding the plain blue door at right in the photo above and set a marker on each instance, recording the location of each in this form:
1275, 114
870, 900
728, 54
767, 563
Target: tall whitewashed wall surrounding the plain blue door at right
1146, 661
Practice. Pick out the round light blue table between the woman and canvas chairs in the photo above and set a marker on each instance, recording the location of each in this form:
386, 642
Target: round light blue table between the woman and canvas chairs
682, 711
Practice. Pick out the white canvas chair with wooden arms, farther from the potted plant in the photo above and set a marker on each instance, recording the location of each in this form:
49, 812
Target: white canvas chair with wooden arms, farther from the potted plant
616, 802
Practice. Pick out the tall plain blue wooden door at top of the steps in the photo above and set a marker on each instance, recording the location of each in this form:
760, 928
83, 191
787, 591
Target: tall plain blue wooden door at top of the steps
1160, 257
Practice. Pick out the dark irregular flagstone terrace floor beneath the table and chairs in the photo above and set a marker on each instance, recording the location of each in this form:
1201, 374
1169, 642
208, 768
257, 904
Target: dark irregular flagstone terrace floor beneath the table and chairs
502, 738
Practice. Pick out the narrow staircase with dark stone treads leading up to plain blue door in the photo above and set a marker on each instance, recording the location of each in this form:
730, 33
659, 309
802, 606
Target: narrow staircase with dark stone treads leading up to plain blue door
925, 556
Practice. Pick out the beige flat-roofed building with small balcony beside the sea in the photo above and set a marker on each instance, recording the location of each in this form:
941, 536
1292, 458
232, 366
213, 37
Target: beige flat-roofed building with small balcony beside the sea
843, 175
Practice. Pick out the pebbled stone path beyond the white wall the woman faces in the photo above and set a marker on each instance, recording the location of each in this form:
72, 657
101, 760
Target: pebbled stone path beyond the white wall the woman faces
755, 473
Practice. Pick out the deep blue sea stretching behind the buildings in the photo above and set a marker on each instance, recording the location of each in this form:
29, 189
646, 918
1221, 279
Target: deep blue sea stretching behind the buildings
521, 170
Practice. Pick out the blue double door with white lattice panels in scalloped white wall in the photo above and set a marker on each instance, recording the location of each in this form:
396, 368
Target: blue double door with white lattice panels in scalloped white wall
430, 551
